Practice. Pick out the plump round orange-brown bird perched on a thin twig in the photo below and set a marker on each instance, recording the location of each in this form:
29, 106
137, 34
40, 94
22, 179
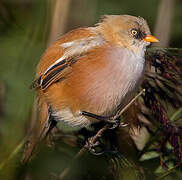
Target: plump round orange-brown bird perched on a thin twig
90, 73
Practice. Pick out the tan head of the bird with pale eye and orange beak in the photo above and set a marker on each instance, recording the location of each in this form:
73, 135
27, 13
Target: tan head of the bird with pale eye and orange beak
126, 31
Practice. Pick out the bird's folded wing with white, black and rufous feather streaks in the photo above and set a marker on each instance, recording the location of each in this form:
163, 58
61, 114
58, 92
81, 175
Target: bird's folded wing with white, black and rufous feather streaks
72, 51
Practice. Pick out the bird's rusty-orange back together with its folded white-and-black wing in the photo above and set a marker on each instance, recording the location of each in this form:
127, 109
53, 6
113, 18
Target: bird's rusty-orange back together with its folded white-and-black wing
57, 60
